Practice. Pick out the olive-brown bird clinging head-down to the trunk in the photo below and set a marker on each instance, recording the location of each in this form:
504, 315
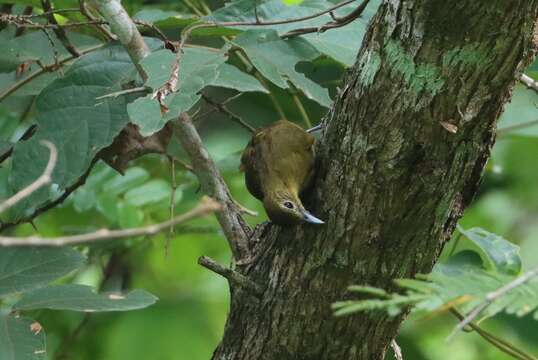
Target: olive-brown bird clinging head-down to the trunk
279, 164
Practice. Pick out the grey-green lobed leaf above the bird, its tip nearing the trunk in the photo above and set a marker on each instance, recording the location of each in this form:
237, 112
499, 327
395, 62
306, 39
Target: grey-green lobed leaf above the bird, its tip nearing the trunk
276, 59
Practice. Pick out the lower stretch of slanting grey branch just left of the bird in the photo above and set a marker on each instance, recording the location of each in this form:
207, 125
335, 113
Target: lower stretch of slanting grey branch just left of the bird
212, 183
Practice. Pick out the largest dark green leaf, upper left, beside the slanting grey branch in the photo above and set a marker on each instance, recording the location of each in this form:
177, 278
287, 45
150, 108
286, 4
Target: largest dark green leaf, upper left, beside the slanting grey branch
69, 115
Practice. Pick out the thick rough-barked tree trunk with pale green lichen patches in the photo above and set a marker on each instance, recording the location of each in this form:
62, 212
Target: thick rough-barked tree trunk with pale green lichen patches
401, 157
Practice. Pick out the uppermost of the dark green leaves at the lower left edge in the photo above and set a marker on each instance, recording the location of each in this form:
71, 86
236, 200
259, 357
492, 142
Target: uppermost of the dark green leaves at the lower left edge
23, 269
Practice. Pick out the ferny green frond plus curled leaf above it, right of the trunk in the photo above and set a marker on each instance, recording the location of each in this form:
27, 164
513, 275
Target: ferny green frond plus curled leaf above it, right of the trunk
463, 281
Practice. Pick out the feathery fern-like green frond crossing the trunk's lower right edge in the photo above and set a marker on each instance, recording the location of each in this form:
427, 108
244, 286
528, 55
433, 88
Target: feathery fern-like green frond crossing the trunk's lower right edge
453, 284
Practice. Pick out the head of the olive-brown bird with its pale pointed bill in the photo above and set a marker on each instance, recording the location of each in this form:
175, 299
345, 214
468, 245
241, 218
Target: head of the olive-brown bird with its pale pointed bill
285, 208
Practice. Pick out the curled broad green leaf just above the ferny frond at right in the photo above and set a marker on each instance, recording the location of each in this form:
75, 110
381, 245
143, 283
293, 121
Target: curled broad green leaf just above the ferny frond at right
496, 252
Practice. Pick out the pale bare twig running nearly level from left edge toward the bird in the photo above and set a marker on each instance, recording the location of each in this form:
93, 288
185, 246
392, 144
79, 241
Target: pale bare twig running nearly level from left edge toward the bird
206, 206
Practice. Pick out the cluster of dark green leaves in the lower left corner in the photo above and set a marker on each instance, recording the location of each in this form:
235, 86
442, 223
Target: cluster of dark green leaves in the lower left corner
25, 275
